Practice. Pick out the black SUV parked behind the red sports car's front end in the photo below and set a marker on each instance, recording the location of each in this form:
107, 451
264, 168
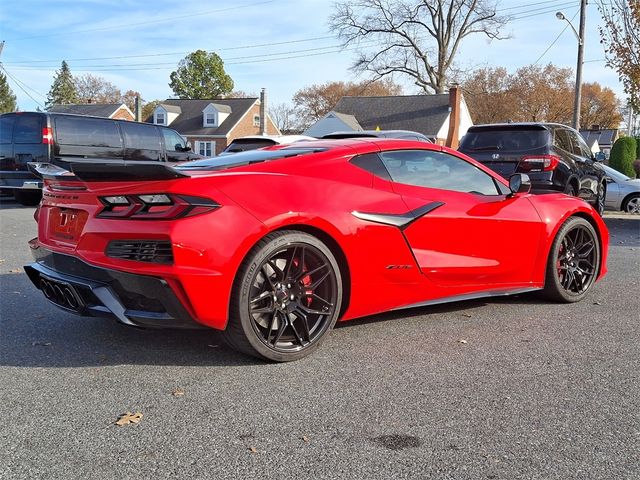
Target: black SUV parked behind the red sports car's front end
554, 156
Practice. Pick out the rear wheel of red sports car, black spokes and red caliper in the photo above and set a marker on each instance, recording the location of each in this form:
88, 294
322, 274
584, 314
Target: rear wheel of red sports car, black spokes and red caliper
286, 298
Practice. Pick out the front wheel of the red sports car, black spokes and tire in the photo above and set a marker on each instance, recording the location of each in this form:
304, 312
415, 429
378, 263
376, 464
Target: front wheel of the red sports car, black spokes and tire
573, 261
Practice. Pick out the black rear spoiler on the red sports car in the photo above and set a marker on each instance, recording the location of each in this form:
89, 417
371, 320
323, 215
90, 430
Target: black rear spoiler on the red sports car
105, 171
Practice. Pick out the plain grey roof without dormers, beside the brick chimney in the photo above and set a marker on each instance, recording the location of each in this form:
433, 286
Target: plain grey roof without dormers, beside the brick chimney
420, 113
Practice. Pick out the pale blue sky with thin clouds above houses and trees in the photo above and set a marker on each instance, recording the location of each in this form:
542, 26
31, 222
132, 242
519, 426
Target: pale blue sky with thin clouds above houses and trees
280, 45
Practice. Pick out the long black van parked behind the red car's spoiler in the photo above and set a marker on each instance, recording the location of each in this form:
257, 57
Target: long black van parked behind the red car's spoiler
56, 137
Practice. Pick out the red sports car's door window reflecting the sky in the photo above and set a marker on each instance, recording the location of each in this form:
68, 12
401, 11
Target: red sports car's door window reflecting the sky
426, 168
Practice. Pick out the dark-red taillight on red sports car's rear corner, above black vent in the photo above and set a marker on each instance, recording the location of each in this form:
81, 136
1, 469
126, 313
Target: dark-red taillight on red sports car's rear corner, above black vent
155, 206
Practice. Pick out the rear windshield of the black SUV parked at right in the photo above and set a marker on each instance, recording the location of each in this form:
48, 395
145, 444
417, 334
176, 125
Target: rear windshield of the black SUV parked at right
507, 139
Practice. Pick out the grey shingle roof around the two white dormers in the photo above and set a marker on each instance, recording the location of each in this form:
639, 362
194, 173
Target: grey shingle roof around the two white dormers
189, 122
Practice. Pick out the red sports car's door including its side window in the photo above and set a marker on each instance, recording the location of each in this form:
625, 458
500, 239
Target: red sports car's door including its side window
468, 230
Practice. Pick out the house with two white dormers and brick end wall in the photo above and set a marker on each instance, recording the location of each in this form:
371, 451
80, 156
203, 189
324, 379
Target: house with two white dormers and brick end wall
210, 125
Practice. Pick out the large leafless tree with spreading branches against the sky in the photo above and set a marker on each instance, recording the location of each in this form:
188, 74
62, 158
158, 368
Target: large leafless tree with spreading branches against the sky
415, 38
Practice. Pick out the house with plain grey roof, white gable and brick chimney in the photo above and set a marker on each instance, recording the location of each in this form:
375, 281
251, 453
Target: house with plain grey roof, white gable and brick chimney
428, 114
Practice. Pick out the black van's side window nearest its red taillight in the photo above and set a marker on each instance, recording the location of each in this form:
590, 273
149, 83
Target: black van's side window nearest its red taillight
89, 132
